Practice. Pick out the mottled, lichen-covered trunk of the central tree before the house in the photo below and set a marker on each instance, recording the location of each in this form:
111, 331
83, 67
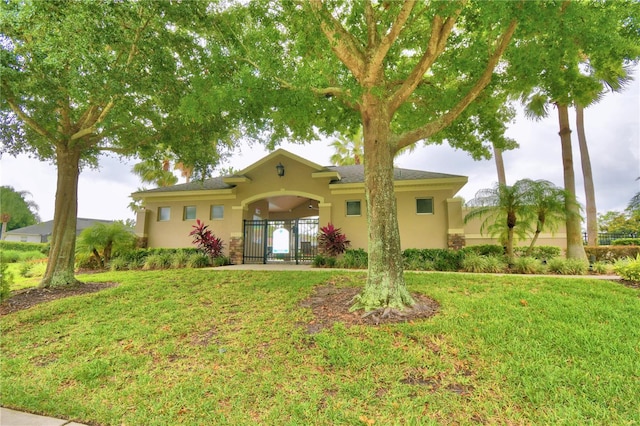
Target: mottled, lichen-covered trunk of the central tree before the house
385, 287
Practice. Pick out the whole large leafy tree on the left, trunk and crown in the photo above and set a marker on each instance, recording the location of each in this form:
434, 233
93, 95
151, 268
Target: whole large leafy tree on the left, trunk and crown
84, 77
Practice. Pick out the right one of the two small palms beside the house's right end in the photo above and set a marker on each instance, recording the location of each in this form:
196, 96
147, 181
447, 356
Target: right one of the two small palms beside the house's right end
547, 202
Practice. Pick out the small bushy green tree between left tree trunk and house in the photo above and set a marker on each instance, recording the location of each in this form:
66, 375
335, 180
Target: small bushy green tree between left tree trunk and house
101, 240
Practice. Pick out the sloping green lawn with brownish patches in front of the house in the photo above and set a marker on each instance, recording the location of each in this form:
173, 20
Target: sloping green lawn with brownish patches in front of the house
204, 347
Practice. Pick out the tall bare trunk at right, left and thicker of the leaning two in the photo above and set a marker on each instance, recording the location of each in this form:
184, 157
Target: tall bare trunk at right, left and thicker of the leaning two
575, 248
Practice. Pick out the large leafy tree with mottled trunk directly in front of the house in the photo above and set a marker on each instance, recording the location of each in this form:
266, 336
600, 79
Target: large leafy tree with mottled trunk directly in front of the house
404, 71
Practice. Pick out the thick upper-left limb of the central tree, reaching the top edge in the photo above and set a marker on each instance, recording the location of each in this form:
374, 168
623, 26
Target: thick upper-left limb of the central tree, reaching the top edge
343, 44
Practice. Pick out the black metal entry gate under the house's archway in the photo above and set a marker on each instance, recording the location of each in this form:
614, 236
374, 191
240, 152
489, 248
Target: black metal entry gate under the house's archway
280, 241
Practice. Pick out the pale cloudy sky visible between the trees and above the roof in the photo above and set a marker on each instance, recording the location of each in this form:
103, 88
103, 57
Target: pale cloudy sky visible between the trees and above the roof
612, 131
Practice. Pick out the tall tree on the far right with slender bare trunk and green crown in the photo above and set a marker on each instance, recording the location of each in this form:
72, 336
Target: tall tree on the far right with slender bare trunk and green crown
608, 40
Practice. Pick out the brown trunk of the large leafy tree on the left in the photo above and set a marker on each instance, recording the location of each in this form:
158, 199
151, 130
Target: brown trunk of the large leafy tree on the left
60, 266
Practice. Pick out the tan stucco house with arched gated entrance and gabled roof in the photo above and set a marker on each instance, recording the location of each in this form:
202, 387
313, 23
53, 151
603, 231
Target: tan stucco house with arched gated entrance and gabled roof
272, 210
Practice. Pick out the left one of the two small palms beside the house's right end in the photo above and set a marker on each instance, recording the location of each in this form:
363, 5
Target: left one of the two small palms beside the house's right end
504, 210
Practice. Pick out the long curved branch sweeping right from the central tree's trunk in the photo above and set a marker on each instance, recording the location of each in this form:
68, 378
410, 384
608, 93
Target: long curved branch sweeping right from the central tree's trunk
443, 121
